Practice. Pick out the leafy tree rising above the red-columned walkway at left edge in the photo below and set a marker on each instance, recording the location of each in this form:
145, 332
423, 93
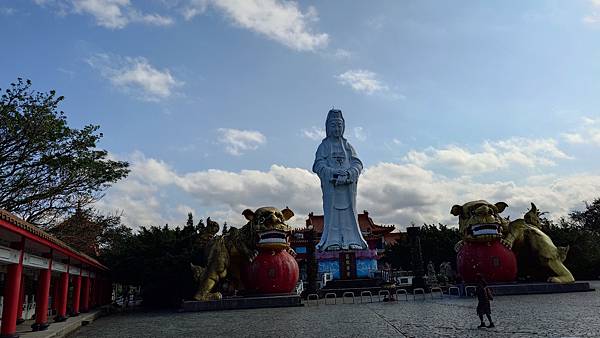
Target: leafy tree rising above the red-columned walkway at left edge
46, 167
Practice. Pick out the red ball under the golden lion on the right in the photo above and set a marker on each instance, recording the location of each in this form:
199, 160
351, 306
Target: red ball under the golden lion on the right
493, 260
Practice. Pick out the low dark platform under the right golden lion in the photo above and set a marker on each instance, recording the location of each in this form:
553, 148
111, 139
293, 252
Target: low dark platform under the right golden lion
538, 288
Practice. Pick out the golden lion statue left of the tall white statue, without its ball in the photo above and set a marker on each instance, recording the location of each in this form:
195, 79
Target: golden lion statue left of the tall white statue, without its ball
227, 253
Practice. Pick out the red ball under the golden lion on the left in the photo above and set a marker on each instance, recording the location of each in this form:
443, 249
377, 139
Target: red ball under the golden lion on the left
272, 271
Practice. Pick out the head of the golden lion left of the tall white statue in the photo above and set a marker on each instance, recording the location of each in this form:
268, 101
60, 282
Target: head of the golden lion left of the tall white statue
269, 225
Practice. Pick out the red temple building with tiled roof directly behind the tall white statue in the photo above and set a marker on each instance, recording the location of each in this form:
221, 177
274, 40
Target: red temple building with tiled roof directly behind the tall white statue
304, 240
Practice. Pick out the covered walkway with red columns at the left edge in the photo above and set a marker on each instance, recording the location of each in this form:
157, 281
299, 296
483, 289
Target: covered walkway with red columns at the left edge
41, 275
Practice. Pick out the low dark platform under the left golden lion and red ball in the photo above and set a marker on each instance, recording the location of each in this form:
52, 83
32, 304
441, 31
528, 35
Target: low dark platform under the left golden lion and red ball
237, 303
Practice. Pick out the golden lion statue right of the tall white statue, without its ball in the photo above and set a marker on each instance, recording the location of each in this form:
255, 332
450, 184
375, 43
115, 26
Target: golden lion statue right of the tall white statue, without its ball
480, 221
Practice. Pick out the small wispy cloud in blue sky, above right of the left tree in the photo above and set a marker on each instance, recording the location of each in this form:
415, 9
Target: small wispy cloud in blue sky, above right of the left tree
136, 75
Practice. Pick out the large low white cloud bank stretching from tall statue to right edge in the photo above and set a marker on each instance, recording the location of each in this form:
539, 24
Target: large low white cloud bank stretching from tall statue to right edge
401, 194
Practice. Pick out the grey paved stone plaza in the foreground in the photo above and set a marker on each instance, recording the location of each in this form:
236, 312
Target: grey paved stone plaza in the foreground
556, 315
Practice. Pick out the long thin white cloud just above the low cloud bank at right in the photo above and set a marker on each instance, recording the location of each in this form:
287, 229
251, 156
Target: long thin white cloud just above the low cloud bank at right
494, 156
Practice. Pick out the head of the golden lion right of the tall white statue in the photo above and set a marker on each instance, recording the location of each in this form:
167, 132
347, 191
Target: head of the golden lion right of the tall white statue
480, 220
